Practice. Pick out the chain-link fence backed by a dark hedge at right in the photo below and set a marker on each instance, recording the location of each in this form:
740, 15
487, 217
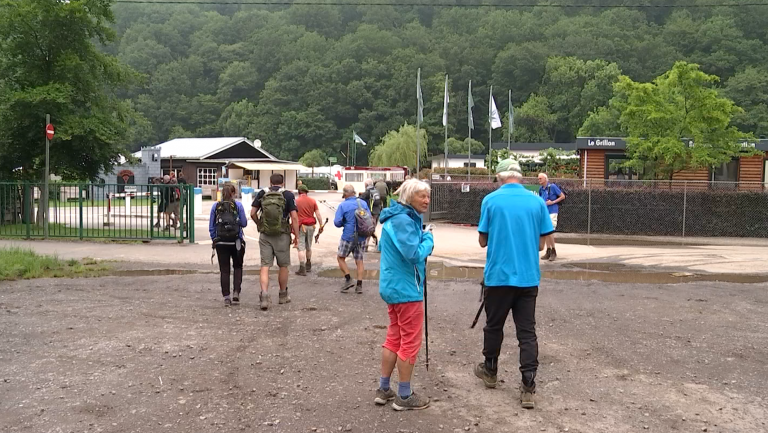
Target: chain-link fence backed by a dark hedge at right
628, 207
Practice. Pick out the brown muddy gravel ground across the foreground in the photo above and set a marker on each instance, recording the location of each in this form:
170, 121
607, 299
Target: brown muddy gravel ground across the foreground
162, 354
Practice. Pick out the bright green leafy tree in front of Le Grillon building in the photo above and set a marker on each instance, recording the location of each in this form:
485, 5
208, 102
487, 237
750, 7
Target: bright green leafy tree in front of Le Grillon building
679, 107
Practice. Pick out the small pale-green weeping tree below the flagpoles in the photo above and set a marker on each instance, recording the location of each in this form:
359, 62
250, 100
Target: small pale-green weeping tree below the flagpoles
399, 148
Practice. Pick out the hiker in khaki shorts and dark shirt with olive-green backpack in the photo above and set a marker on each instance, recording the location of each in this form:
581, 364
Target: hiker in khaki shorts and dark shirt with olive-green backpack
274, 211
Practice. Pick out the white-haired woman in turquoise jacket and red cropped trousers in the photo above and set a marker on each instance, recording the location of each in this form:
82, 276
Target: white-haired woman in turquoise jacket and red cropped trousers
404, 250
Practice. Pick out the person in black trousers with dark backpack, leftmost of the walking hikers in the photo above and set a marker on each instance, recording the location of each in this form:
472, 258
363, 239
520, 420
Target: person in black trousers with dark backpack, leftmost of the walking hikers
225, 226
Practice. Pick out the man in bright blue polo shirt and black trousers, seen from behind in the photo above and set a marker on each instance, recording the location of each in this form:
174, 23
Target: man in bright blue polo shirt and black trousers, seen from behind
514, 225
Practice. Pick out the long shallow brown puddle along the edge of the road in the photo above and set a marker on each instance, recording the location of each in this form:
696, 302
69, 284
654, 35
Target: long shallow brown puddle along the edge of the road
604, 272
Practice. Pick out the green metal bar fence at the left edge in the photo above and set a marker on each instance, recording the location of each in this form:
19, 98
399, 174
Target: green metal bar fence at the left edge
97, 211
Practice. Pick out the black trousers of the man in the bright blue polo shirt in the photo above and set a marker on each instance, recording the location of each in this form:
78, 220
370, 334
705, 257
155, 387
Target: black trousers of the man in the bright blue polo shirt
499, 301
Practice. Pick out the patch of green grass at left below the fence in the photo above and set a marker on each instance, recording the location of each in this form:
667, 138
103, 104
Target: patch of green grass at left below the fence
23, 264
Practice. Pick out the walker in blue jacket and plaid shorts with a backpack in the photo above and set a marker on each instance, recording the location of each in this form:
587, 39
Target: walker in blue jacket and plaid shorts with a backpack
351, 239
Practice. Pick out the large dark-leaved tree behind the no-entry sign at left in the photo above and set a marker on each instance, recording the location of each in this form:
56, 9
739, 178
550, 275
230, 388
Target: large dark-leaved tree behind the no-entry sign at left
50, 64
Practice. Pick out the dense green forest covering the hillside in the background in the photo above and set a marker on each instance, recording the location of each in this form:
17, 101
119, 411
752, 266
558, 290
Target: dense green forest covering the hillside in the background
303, 77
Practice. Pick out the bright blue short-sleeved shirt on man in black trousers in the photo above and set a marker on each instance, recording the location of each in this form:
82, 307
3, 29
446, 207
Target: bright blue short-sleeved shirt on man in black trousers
514, 220
